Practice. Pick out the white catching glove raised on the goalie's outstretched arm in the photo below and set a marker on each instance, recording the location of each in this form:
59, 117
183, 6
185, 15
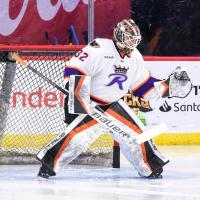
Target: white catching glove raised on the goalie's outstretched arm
178, 84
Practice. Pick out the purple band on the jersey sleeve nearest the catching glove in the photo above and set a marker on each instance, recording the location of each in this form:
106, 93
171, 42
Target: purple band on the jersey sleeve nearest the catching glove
145, 87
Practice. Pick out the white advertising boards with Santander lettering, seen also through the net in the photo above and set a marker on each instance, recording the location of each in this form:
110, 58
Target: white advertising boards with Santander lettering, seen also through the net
43, 104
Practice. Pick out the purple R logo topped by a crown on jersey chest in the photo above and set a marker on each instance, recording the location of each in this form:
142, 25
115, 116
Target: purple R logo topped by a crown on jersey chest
118, 77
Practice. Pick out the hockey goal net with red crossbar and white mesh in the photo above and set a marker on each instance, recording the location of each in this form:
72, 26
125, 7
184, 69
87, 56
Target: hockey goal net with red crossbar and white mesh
31, 110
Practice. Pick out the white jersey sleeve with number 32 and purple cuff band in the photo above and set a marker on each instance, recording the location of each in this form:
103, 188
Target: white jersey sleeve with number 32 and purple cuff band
82, 63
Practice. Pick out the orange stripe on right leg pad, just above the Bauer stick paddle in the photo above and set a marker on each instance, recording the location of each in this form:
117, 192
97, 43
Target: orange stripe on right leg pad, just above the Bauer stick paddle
125, 121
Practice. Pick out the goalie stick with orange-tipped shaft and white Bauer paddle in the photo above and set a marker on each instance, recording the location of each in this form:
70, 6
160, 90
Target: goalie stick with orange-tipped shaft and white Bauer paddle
97, 115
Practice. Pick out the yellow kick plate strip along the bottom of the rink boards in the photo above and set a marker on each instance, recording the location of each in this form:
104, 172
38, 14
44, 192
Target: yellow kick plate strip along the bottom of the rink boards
36, 141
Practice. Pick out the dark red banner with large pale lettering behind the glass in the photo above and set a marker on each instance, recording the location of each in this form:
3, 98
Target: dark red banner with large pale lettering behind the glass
29, 21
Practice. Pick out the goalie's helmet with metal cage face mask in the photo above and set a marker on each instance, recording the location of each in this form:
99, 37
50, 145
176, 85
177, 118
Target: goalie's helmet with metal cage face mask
127, 34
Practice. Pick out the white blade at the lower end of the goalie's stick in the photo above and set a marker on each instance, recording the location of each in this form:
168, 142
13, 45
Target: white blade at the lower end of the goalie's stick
151, 133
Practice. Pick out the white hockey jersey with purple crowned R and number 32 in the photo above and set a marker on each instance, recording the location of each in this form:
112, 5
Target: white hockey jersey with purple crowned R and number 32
112, 73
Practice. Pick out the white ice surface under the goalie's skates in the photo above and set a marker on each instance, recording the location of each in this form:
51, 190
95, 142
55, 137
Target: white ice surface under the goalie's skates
181, 180
